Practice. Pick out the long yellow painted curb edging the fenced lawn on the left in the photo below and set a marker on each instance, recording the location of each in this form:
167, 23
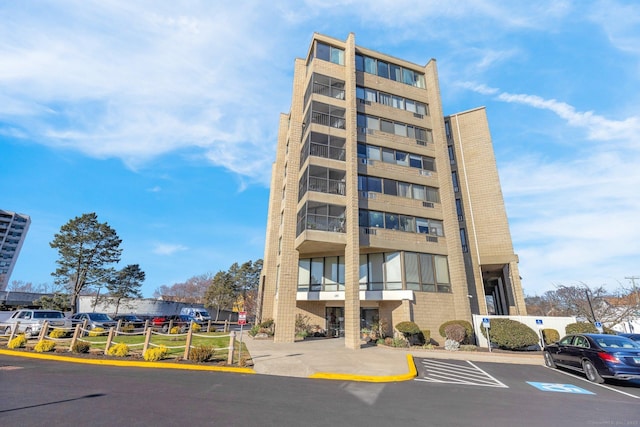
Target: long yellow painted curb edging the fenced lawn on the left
105, 362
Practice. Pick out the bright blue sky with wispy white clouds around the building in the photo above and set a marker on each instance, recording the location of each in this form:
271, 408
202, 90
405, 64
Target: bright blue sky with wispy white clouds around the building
161, 117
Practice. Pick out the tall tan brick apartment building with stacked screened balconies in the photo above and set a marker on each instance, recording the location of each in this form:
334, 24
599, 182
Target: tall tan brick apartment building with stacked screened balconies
381, 208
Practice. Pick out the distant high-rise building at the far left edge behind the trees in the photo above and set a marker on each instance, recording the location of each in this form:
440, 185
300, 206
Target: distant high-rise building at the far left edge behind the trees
13, 230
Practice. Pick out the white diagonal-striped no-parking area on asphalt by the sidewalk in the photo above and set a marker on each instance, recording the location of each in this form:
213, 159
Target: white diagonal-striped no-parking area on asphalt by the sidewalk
438, 371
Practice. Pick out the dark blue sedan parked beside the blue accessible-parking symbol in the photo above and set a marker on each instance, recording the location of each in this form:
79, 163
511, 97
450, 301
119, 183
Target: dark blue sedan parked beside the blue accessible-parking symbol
598, 356
